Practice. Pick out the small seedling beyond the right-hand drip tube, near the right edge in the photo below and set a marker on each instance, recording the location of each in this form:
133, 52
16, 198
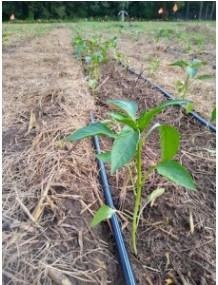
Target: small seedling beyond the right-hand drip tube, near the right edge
191, 70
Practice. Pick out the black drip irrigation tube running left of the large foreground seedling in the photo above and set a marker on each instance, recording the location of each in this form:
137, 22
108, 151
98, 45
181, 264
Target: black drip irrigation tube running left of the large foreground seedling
124, 260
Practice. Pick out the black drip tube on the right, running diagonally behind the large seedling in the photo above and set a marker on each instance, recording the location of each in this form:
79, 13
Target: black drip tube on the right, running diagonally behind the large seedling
169, 96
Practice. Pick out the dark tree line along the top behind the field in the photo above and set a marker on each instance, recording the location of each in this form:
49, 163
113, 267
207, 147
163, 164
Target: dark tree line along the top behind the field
145, 10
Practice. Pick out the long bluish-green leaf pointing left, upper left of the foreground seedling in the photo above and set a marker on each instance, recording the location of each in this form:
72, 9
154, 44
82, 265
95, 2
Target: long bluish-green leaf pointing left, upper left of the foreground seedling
91, 130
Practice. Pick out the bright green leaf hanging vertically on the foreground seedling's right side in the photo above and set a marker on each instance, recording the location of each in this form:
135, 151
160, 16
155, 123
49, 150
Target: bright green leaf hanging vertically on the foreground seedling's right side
169, 141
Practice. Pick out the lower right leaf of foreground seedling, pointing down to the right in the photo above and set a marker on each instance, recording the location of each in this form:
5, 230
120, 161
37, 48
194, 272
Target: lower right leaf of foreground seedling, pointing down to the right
175, 172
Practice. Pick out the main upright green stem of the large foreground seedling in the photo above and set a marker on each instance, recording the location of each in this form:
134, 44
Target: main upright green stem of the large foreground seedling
138, 194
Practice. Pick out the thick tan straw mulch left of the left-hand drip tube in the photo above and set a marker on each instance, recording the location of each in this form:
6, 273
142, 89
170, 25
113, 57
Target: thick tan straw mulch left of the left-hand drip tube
50, 187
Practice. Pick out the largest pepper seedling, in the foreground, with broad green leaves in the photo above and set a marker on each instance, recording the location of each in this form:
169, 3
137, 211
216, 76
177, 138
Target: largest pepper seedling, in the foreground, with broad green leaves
127, 147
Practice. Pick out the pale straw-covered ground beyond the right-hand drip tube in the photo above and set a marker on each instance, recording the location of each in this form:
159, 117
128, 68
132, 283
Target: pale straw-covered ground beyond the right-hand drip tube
140, 52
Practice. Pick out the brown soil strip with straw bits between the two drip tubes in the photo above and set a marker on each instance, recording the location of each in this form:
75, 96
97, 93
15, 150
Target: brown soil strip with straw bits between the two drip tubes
168, 250
